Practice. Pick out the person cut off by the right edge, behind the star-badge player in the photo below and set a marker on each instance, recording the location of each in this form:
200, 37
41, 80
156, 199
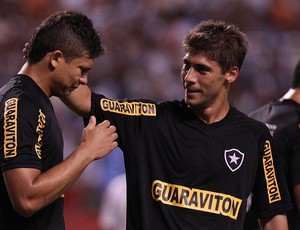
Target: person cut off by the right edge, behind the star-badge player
282, 117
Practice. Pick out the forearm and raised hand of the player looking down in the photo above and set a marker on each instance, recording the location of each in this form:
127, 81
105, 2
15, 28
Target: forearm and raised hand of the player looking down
51, 184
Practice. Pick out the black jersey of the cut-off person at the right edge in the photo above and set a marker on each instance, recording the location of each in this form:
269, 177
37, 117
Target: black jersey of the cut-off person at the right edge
283, 121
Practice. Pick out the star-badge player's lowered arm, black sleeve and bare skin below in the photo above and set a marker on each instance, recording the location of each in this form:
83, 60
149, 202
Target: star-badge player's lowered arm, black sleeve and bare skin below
278, 221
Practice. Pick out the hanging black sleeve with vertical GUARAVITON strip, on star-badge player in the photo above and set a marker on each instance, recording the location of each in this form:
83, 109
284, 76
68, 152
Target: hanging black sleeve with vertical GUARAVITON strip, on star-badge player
270, 194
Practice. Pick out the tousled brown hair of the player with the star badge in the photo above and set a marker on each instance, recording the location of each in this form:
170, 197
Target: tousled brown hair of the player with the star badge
219, 41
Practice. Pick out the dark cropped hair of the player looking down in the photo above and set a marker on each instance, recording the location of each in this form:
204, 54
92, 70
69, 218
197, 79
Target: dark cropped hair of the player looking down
68, 31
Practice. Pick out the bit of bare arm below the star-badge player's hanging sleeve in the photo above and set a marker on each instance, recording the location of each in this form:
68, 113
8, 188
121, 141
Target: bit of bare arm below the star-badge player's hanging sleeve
278, 222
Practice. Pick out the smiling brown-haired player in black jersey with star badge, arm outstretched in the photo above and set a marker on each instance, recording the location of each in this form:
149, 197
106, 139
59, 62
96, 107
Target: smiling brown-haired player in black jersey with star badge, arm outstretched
191, 164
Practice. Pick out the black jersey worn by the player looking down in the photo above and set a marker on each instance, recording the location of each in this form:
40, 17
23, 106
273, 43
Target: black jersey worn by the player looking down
30, 138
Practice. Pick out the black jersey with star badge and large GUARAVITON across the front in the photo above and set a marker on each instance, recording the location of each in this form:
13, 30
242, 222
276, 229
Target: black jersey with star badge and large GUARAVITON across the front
185, 174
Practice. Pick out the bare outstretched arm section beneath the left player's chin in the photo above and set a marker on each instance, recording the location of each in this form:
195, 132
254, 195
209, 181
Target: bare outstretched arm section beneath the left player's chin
79, 101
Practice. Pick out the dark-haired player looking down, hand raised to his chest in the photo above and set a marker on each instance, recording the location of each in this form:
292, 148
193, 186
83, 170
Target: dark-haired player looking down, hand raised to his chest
34, 175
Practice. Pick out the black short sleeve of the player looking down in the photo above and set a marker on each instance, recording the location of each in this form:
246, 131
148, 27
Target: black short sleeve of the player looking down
23, 124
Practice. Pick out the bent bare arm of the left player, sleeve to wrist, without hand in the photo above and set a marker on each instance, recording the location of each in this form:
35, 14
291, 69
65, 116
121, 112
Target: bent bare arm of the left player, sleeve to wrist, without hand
29, 195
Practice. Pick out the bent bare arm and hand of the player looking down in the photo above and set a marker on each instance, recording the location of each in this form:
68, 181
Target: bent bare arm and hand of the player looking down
30, 190
